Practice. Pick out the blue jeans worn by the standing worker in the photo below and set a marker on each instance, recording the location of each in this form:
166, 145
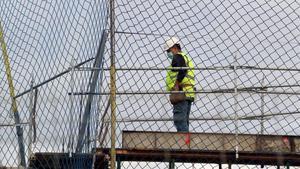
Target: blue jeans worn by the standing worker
181, 113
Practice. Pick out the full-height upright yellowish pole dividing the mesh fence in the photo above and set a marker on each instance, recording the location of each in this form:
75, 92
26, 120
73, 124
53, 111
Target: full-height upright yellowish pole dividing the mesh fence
112, 85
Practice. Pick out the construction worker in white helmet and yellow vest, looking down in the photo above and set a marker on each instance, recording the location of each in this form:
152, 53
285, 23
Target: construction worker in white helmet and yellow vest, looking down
180, 80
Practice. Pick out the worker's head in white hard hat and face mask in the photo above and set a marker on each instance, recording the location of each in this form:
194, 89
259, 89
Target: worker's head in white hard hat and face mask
172, 47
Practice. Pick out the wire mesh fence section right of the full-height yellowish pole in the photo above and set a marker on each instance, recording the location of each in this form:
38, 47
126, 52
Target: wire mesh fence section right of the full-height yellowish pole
260, 38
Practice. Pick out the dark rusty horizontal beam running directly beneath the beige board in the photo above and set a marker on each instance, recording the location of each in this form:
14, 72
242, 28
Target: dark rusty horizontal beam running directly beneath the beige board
201, 156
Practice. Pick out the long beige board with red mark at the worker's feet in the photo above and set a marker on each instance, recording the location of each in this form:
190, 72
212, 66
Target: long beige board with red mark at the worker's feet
209, 141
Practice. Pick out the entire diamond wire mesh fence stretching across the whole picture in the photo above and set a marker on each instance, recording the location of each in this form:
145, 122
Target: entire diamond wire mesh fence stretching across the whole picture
245, 53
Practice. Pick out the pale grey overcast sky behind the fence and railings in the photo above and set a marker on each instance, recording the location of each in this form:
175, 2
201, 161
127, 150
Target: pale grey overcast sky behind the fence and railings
45, 37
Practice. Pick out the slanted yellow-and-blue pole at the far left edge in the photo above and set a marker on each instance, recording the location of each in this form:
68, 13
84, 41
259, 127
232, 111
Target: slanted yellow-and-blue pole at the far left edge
13, 100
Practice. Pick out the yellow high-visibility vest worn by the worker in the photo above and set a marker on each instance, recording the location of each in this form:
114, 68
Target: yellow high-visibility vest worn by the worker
188, 81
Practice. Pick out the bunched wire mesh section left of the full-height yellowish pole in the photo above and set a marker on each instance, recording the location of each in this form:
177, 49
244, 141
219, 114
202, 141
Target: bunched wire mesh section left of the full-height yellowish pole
45, 40
